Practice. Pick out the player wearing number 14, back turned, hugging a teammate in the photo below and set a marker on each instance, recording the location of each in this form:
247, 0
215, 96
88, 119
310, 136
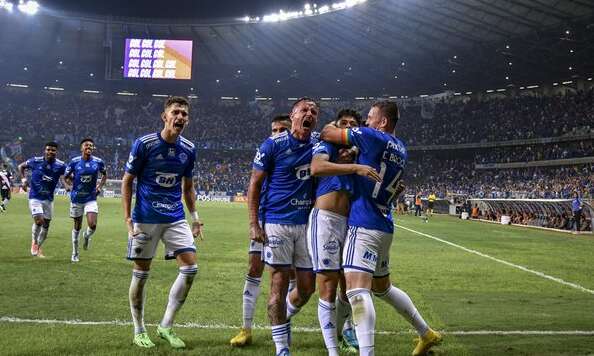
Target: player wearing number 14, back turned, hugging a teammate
366, 254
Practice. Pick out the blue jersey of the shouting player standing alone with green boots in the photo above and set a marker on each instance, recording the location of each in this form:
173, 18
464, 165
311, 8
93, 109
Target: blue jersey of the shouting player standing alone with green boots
159, 167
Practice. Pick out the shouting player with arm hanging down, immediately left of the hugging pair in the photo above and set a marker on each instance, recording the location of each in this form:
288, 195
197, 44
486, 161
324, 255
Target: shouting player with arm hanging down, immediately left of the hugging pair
284, 162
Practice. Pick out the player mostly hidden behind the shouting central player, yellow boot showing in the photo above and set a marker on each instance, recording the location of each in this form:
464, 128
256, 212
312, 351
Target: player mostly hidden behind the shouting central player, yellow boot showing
251, 288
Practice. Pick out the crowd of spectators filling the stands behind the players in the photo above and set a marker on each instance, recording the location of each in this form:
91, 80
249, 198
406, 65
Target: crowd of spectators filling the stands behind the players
226, 133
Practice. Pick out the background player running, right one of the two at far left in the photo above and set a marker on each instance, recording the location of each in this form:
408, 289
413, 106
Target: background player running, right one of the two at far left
81, 175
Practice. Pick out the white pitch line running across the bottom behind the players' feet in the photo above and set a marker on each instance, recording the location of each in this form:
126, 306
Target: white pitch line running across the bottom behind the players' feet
15, 320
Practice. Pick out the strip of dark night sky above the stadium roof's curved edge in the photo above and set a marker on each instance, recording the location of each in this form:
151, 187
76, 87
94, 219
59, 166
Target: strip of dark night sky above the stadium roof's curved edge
197, 9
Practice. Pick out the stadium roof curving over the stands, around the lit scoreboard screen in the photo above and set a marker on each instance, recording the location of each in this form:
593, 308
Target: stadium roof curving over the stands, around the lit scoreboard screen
395, 46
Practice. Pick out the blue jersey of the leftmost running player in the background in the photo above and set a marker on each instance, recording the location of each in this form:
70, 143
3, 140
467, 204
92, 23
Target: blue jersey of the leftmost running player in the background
44, 177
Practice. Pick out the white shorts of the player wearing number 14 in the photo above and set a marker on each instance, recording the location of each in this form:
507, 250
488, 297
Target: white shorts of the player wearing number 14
361, 250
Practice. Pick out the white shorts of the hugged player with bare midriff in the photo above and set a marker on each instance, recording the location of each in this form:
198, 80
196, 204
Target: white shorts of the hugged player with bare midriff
326, 235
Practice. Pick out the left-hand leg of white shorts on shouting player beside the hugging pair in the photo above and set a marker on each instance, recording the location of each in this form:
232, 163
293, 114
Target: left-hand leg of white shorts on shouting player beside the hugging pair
279, 249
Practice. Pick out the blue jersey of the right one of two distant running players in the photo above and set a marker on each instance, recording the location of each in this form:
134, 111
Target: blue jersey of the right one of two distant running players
84, 178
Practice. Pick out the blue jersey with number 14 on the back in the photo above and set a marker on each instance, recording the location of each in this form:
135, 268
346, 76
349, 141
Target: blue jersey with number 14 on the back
371, 207
